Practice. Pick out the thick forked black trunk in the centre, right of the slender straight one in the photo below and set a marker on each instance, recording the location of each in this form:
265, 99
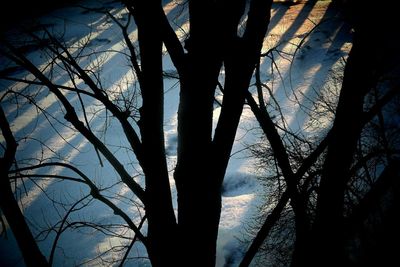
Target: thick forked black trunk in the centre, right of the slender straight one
201, 162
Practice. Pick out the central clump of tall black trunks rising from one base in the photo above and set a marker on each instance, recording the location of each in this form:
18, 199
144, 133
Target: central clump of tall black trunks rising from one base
201, 162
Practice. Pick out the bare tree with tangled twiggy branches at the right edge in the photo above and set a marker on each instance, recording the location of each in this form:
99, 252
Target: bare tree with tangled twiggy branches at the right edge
337, 175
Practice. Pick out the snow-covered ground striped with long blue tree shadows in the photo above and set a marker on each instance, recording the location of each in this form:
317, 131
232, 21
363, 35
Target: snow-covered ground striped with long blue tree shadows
307, 30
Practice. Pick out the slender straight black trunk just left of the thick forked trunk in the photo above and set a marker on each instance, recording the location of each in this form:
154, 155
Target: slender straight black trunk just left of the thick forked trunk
162, 227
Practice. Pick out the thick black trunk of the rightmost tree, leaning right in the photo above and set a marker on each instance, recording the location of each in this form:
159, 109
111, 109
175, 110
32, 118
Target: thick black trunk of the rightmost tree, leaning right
368, 60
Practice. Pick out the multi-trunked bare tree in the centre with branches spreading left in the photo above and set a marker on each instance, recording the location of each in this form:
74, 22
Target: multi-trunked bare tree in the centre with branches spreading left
202, 158
